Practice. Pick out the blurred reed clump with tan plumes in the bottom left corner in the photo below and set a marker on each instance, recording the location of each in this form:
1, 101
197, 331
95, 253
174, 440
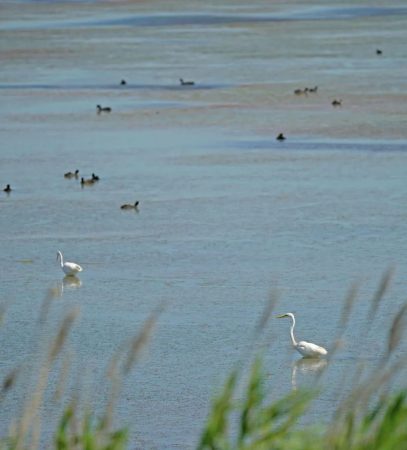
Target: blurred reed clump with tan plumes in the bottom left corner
77, 429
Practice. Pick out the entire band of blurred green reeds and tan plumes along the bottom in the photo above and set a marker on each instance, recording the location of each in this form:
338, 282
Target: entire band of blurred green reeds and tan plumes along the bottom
369, 418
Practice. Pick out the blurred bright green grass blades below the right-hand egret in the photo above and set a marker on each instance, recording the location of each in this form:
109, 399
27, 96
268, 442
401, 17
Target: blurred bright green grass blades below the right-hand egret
268, 426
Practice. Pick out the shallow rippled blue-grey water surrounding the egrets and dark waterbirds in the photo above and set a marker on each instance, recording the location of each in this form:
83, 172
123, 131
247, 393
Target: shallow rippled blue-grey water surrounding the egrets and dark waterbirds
227, 213
